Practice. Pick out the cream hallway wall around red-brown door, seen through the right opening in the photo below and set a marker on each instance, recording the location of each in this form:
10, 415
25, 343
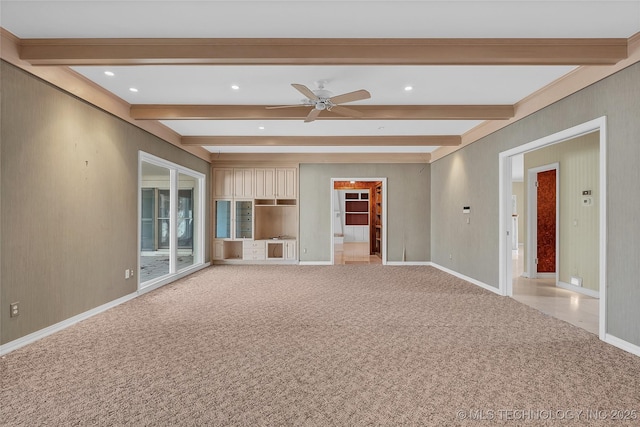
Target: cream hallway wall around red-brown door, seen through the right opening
578, 225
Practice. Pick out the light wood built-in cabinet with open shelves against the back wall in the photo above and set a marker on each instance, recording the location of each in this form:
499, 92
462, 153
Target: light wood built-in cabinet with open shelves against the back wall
255, 214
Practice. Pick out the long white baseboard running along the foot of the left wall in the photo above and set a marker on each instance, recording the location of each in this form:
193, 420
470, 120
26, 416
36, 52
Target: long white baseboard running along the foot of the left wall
49, 330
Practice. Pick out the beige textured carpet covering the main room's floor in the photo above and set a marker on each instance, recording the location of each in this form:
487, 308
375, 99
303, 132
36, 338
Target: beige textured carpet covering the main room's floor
343, 345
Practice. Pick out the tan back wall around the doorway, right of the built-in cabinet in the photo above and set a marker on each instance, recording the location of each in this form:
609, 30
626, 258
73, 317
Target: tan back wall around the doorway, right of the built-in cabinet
408, 222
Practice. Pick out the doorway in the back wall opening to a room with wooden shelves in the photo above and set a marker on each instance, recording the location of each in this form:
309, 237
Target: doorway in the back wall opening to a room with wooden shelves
358, 218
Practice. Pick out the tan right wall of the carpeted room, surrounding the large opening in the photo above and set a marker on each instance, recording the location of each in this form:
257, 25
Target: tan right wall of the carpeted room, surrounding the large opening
471, 174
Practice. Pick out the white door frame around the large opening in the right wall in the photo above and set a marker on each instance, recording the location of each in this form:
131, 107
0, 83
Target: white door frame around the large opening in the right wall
505, 285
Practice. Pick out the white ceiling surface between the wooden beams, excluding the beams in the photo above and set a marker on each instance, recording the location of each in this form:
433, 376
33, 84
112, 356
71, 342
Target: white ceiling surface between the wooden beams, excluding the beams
270, 85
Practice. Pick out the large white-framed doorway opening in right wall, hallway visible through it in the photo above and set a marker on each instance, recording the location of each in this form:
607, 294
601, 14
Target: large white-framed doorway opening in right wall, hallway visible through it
576, 290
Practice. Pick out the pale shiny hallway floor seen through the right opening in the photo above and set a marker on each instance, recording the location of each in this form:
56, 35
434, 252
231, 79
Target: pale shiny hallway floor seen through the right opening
542, 294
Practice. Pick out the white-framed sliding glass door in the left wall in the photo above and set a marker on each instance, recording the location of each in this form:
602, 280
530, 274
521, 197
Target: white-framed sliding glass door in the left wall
171, 219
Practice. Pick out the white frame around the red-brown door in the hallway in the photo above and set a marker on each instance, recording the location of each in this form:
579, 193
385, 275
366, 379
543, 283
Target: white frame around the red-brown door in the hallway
532, 220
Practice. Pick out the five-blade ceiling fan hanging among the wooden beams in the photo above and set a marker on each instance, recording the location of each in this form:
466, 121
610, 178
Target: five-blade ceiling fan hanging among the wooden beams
322, 99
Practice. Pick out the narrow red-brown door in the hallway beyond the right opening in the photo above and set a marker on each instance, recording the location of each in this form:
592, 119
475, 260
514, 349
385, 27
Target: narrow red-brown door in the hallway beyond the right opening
546, 221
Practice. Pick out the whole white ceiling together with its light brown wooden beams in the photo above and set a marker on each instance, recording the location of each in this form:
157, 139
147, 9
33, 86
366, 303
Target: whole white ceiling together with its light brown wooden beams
207, 70
